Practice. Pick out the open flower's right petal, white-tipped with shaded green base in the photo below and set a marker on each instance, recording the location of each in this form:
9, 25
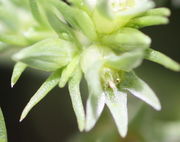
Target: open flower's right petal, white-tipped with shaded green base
140, 89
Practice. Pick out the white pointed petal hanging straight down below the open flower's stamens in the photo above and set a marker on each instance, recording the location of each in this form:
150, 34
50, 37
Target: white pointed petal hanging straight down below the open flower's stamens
117, 104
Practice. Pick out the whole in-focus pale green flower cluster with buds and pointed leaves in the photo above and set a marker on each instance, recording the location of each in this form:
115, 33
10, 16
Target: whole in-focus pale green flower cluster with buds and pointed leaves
97, 39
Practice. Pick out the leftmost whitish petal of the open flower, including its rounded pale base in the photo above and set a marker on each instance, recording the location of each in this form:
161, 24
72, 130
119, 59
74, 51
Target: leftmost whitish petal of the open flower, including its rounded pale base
91, 63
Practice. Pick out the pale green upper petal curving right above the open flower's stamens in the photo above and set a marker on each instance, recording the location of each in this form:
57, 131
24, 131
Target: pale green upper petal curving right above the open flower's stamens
125, 61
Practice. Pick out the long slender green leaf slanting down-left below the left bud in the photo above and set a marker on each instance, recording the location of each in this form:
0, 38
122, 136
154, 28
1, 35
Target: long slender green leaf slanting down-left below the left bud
45, 88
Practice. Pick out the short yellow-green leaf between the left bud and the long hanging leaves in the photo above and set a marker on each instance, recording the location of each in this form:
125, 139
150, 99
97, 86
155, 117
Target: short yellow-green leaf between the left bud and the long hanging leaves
68, 71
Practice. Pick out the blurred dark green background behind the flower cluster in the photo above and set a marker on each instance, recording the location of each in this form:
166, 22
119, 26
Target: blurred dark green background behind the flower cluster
53, 119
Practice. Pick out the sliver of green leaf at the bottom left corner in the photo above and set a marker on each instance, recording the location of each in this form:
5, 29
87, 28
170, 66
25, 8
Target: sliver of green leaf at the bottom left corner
3, 135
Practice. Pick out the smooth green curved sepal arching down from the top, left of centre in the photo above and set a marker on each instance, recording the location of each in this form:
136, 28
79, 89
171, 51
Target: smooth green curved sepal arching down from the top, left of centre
79, 19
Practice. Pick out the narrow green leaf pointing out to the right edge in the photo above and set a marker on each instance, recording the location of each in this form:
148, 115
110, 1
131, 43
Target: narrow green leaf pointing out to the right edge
162, 59
